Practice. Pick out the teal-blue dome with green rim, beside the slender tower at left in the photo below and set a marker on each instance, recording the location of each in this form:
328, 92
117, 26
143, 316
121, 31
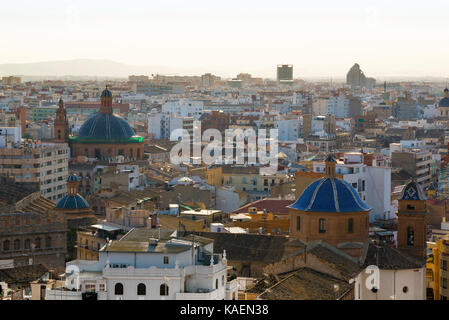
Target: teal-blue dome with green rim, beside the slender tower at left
106, 127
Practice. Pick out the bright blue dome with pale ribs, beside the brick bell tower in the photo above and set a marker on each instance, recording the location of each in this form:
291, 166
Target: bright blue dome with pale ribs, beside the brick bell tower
330, 195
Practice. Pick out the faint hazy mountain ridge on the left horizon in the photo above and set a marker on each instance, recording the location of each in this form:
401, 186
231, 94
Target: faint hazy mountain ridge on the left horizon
87, 67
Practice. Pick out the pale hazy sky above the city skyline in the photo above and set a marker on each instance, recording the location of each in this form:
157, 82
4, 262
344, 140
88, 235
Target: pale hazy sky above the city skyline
320, 38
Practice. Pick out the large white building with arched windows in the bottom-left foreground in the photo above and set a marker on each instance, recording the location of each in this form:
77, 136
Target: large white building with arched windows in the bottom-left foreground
145, 265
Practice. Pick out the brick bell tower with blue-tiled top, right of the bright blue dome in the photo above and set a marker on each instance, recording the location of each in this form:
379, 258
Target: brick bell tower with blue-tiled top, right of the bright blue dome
412, 221
